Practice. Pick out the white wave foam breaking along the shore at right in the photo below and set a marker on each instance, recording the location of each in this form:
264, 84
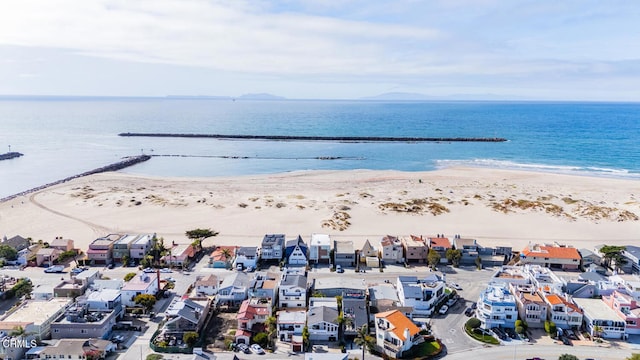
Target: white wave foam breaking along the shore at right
559, 169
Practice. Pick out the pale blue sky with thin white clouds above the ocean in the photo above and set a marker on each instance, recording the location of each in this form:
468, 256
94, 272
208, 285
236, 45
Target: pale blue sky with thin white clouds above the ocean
322, 49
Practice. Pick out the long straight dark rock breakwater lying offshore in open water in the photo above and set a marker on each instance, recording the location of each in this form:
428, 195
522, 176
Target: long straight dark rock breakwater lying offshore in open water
321, 138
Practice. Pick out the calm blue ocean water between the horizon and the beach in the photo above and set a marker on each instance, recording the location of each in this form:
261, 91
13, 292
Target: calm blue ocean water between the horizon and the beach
61, 138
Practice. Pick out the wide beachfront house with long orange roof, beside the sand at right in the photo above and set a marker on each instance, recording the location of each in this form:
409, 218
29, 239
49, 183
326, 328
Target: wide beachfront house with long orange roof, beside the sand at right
551, 256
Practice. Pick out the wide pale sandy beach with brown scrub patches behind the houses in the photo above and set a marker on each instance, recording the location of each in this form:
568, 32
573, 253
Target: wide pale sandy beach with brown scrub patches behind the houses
497, 207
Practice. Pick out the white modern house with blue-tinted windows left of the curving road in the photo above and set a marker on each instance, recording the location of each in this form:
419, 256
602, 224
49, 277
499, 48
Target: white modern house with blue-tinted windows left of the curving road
421, 295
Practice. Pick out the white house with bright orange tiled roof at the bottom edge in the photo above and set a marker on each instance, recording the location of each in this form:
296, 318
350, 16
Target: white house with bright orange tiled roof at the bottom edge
395, 333
